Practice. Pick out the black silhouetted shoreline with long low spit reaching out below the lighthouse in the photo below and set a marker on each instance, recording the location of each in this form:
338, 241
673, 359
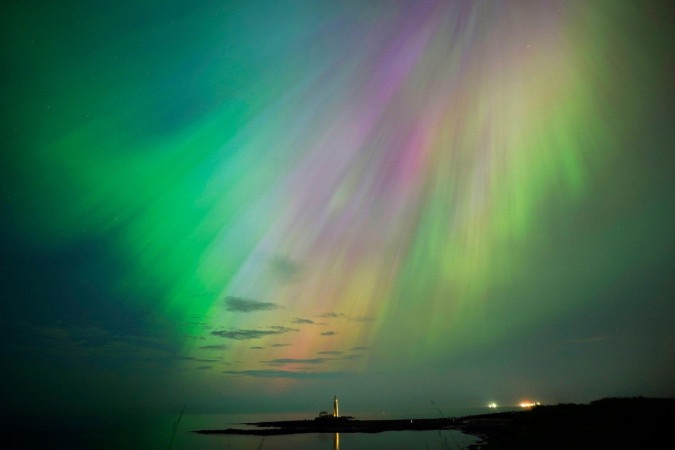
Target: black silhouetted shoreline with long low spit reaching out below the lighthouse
638, 422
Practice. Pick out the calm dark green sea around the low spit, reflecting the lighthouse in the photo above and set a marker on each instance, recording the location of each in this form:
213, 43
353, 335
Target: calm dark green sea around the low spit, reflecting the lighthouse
176, 432
